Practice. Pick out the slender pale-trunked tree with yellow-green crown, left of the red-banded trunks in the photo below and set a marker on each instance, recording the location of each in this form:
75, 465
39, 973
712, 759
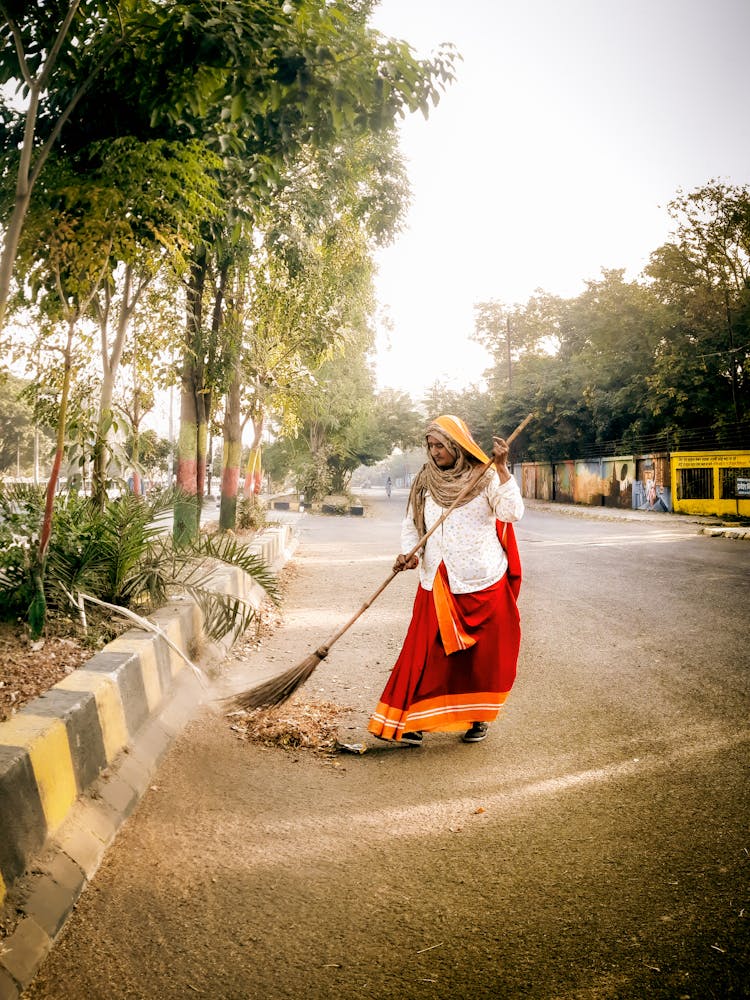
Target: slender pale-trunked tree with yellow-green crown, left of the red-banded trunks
135, 208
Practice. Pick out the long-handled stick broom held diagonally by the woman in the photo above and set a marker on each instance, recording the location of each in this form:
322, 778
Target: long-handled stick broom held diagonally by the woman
276, 690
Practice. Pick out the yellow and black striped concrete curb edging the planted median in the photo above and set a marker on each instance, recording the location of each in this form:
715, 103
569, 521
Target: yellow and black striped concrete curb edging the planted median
75, 762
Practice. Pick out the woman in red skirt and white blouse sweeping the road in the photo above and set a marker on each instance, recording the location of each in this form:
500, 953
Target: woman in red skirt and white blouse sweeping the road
458, 661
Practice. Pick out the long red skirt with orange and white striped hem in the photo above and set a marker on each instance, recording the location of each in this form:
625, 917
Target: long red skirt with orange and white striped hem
431, 690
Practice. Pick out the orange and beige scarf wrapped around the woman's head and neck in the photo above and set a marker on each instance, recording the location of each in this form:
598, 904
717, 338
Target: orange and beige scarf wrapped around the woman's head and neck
444, 485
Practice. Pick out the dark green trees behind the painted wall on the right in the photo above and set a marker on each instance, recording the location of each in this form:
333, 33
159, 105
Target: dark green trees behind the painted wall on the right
634, 364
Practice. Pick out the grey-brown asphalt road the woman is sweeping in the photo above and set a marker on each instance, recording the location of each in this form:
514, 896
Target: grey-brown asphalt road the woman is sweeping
594, 847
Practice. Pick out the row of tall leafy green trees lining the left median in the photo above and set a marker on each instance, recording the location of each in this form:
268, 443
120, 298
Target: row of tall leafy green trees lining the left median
191, 147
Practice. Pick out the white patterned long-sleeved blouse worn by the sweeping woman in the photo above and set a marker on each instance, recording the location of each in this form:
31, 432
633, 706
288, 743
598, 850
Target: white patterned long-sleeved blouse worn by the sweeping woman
467, 540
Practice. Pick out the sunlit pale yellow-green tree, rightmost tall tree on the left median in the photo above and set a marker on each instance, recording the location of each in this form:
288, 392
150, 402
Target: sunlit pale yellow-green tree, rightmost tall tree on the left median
308, 284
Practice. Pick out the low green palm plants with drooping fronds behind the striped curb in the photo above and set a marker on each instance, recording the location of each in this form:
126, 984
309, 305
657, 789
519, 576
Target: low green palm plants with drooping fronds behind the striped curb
123, 554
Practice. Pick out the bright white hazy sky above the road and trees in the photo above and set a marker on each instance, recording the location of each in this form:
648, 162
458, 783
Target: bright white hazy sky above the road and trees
570, 127
